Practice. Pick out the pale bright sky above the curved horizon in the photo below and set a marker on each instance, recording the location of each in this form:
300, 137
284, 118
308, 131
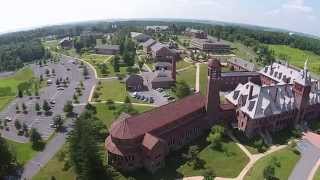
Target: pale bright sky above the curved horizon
295, 15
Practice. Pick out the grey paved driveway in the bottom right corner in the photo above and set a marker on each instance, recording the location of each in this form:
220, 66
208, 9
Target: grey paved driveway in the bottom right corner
309, 157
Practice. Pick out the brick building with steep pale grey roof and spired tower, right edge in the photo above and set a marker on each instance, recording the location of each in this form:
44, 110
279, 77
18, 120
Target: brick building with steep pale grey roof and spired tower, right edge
286, 98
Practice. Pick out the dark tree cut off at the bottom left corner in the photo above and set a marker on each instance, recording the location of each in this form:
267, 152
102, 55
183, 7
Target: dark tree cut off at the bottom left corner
8, 161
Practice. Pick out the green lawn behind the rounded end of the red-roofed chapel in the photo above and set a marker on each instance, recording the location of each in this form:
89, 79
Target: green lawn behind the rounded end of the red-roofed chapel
108, 116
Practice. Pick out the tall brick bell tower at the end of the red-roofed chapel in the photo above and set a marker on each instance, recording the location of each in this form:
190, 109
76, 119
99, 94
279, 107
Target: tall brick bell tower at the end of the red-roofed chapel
213, 90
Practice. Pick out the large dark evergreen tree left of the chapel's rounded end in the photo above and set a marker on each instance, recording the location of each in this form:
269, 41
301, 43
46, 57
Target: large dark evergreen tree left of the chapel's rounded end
84, 148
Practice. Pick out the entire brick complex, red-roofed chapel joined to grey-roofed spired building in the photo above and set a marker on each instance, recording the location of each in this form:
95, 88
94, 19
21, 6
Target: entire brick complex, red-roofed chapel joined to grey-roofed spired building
143, 141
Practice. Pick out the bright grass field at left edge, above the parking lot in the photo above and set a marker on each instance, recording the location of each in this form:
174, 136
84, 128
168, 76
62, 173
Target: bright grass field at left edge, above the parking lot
10, 84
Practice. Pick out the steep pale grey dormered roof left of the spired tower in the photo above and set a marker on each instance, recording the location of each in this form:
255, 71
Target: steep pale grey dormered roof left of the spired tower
264, 101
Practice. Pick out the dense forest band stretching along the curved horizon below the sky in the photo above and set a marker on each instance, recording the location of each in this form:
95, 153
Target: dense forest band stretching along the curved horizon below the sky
22, 47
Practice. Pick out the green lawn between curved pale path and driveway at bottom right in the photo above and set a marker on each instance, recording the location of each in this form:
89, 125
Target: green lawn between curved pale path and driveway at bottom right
287, 159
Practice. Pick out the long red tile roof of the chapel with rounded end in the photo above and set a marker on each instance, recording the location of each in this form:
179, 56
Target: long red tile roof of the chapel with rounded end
138, 125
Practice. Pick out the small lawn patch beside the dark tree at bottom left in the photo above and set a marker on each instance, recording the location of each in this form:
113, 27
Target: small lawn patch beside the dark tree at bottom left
23, 151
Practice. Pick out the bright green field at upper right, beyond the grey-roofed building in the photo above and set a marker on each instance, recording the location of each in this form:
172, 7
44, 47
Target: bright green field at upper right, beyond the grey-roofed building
297, 57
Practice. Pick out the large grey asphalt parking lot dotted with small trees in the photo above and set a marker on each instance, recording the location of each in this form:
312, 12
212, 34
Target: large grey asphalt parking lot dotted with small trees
66, 68
